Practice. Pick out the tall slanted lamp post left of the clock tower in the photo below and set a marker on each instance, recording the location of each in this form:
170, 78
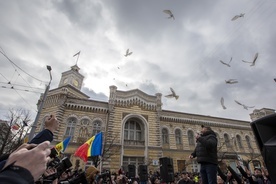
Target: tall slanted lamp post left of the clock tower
31, 135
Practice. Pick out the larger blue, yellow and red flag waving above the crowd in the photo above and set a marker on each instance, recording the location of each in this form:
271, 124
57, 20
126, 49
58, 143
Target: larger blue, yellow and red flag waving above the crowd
92, 147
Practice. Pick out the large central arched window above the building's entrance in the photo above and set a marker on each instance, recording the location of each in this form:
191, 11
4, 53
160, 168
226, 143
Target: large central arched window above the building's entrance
133, 130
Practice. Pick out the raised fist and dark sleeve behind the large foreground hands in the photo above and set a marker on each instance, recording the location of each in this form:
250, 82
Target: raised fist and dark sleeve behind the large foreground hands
51, 125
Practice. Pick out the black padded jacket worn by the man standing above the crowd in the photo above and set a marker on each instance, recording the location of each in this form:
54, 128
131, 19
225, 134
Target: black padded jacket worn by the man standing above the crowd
206, 148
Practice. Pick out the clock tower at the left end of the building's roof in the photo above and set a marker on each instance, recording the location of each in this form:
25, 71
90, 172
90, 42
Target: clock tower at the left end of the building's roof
72, 77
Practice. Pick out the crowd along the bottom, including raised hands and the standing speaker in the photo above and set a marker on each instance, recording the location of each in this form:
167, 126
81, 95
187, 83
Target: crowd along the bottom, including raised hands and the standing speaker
32, 163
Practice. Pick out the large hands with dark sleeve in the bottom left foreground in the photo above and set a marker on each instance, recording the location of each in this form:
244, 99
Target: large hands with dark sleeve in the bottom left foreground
26, 164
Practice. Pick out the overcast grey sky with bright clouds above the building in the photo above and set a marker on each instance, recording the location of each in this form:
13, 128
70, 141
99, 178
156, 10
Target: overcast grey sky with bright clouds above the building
184, 53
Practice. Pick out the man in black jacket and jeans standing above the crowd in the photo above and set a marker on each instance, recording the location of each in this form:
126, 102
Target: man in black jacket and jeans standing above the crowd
206, 154
